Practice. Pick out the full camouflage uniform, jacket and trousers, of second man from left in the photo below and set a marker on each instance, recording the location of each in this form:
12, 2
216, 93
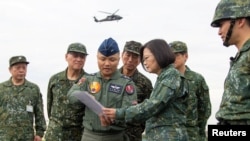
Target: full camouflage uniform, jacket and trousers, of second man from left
65, 120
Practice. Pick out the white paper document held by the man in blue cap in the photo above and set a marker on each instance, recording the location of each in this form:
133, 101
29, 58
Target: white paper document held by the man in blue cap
89, 101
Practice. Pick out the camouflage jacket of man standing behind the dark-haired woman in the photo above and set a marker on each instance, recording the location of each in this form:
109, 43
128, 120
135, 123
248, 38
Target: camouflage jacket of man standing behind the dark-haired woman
199, 105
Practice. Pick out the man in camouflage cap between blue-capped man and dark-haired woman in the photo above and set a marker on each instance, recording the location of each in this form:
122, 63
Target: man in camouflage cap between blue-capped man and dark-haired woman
131, 59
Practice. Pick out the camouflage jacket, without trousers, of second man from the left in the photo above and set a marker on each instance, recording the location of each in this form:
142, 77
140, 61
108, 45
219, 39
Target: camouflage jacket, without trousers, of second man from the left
58, 107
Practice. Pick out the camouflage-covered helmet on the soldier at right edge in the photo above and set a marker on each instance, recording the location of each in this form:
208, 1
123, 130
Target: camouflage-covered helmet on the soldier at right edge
230, 9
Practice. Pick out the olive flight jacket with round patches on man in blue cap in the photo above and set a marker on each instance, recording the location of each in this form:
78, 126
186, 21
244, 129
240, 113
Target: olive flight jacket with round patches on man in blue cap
118, 91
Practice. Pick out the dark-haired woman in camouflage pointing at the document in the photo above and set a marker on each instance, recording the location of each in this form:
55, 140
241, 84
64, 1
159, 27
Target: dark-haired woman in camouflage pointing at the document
164, 111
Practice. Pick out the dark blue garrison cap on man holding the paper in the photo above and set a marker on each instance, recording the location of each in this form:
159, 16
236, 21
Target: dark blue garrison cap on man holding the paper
108, 47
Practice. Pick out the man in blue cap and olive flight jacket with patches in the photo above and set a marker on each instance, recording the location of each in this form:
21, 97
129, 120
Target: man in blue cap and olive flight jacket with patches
111, 89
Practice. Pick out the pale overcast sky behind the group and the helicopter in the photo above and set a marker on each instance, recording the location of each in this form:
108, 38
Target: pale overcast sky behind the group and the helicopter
42, 31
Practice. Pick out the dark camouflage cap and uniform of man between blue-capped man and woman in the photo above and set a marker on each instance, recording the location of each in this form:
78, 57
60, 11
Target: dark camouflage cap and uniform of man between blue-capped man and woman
143, 89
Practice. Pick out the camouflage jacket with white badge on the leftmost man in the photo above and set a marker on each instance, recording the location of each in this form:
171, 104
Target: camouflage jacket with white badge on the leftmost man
21, 107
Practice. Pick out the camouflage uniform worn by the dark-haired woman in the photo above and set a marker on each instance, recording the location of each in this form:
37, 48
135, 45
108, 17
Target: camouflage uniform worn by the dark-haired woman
164, 111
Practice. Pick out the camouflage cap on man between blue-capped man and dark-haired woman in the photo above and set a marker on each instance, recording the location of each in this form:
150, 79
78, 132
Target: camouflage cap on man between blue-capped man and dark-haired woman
133, 46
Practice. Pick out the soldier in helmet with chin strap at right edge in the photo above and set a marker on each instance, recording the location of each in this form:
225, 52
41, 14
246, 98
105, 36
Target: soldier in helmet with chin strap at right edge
232, 17
